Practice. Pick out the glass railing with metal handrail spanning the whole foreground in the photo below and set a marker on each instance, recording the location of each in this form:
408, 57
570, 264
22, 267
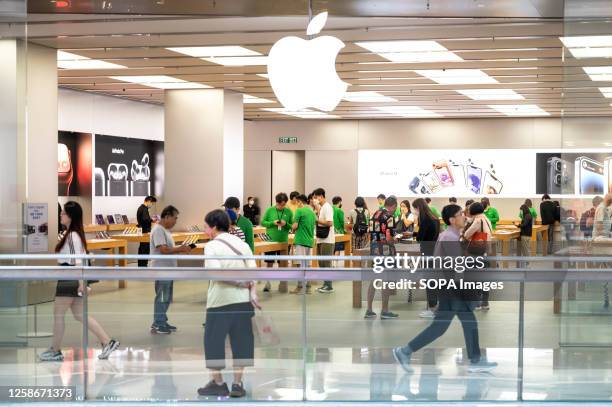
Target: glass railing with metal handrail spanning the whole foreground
548, 331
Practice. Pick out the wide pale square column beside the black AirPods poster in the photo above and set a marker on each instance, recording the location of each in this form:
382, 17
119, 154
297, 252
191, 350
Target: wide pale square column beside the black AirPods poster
204, 151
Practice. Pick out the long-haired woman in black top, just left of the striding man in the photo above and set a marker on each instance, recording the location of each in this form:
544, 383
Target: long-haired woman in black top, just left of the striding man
429, 228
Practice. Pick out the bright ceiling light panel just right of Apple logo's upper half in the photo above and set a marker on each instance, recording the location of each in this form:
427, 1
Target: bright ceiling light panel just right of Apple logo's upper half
410, 51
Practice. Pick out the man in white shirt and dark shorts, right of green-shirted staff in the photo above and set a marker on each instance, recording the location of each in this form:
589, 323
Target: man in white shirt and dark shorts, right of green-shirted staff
326, 237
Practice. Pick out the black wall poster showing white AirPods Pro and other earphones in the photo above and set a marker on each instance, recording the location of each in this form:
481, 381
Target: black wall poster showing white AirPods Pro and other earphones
128, 167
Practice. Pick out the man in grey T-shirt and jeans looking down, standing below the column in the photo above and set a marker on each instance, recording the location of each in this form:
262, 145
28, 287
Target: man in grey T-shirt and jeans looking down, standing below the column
162, 243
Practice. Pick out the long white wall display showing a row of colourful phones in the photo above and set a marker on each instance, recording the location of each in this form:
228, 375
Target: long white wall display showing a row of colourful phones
445, 173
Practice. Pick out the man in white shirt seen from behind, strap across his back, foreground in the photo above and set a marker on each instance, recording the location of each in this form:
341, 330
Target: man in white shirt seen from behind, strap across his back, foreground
229, 309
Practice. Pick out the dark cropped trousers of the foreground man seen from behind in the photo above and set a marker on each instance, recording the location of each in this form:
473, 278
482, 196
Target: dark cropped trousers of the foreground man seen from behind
233, 320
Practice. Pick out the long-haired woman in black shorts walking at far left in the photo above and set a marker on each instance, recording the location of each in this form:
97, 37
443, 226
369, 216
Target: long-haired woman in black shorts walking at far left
68, 293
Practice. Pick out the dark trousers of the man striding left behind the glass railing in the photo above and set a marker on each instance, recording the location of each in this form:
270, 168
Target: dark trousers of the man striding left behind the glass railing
447, 310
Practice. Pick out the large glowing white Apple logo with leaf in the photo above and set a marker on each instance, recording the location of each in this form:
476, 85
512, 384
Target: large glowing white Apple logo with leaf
303, 72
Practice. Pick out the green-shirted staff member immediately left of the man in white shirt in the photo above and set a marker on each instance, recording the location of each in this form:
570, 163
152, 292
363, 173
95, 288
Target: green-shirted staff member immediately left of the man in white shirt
303, 241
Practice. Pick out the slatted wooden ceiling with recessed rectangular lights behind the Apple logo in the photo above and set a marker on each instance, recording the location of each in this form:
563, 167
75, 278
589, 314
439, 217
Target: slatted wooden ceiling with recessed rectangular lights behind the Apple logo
530, 64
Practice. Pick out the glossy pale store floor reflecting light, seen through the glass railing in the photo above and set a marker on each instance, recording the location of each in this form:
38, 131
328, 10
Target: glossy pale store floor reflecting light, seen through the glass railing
344, 357
